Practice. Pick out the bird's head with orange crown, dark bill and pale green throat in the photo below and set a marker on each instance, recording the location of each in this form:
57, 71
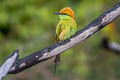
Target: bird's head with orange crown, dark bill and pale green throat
66, 13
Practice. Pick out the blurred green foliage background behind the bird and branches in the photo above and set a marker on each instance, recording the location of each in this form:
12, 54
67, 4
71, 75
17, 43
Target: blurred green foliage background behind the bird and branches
29, 25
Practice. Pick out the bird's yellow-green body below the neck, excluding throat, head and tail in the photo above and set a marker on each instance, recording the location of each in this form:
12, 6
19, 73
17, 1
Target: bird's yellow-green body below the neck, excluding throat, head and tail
64, 30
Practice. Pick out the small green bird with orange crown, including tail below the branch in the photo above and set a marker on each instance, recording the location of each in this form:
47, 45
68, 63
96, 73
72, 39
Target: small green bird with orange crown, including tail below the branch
65, 28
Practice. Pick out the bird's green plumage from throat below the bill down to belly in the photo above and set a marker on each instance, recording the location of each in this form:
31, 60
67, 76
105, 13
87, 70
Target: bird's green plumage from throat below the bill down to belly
65, 28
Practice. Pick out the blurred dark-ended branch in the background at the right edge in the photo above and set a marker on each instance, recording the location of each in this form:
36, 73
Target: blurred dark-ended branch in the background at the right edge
112, 46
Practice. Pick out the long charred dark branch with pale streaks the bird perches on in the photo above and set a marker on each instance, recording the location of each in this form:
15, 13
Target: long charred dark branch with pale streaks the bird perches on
61, 46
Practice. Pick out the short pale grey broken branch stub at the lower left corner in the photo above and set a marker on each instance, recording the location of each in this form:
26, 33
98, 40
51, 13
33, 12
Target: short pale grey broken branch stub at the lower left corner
8, 64
